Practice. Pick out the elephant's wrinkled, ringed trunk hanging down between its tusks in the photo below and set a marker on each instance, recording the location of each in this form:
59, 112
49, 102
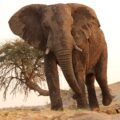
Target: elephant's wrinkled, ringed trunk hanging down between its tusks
64, 58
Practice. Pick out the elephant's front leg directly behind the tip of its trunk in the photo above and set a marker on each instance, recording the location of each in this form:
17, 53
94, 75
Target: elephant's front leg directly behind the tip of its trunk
79, 70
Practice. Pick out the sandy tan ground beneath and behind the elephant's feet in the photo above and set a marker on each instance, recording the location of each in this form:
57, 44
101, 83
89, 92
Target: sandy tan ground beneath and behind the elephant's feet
111, 112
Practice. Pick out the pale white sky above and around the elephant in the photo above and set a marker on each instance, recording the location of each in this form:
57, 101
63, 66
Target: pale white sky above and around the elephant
108, 15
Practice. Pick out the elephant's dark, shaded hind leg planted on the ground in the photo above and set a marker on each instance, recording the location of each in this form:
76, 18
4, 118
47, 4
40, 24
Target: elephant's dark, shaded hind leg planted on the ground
90, 78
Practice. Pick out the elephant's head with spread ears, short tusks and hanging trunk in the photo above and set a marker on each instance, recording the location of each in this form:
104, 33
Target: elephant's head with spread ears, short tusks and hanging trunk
49, 28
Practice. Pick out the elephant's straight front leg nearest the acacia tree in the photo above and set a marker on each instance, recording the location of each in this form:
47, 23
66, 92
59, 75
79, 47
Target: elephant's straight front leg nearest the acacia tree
51, 73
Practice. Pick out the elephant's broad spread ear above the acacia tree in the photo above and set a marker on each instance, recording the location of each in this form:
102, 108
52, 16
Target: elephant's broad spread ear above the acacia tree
26, 23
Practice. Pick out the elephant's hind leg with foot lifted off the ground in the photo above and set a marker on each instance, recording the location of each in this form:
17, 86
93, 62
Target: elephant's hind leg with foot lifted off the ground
101, 77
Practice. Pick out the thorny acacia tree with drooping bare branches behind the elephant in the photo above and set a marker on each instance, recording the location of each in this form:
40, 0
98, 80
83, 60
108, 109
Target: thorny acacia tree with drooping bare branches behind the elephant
21, 68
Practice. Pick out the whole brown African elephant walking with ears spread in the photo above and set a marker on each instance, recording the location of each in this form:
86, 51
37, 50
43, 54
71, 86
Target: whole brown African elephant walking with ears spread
70, 36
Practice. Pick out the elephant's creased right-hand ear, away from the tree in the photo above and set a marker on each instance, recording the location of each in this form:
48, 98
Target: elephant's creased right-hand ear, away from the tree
85, 21
